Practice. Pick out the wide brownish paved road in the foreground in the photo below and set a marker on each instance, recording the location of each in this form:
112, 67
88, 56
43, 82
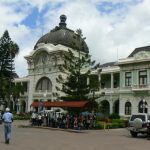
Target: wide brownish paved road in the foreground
45, 139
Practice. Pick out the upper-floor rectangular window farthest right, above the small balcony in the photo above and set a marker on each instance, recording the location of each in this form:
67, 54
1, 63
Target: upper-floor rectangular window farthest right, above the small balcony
143, 77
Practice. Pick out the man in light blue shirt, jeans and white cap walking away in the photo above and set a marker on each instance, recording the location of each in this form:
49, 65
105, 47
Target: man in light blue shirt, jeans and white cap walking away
7, 119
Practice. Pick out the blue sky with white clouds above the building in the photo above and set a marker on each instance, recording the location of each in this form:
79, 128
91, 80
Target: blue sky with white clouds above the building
113, 28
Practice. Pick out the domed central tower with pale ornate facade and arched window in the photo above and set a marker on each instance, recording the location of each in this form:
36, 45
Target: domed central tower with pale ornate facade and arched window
47, 55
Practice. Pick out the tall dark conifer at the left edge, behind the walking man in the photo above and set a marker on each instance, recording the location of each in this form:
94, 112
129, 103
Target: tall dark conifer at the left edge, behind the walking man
8, 51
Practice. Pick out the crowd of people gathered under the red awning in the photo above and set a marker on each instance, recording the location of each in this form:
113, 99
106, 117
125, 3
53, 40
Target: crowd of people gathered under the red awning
64, 120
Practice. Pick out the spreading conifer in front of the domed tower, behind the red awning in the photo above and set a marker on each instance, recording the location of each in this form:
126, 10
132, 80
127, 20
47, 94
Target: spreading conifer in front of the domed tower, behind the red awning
77, 70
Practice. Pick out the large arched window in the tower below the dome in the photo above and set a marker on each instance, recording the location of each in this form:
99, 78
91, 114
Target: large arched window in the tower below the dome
44, 84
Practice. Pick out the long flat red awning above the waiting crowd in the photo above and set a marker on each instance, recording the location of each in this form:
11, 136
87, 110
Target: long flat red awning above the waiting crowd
75, 104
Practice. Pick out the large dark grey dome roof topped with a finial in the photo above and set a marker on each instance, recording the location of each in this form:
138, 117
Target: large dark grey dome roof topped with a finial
62, 35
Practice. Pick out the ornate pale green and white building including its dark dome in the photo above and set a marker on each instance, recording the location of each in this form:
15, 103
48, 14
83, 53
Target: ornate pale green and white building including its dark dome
124, 85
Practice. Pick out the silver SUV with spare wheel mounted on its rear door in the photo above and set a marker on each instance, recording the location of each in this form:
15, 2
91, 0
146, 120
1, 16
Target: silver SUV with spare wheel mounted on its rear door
138, 123
